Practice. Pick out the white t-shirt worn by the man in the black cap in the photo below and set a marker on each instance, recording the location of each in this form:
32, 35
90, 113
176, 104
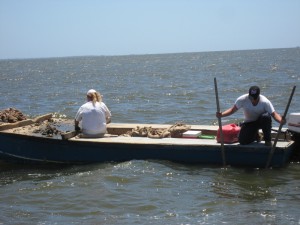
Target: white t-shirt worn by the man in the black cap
252, 112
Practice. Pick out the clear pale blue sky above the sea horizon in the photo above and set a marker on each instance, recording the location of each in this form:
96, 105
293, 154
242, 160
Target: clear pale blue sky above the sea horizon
60, 28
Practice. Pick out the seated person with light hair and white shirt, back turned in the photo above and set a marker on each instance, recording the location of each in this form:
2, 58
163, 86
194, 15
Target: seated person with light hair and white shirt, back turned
94, 115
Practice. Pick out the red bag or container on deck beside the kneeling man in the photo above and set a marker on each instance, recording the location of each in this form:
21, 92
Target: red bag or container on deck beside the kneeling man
230, 133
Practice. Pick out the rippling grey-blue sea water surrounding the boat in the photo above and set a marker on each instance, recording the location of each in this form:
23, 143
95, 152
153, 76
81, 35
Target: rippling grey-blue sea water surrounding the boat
164, 88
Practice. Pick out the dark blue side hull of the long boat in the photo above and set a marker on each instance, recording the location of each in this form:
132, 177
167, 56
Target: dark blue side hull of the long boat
29, 149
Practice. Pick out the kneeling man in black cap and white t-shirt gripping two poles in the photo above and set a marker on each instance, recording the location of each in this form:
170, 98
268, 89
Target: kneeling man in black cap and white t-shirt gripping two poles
257, 111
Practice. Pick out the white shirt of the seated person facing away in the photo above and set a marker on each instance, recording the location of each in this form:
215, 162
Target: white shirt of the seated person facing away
93, 117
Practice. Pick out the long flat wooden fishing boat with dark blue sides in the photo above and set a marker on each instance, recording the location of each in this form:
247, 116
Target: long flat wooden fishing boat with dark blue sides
21, 143
